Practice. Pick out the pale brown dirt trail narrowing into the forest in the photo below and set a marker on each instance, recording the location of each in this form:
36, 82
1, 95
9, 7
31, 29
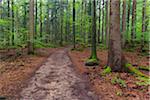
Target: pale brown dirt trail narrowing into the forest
57, 80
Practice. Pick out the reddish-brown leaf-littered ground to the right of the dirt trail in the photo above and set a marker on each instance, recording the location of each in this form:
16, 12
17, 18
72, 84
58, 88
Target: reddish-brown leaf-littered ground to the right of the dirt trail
111, 85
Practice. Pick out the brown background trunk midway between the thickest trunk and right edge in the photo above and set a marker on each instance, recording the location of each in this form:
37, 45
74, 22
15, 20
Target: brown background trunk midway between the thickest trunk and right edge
133, 30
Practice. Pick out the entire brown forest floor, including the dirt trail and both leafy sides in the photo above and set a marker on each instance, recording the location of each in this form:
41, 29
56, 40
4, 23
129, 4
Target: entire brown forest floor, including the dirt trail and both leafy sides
55, 74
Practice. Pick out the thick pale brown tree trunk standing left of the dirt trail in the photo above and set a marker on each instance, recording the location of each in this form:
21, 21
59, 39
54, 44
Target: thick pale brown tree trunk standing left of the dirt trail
31, 27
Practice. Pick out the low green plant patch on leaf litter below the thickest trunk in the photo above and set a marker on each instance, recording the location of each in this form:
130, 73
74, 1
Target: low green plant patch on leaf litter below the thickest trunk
119, 81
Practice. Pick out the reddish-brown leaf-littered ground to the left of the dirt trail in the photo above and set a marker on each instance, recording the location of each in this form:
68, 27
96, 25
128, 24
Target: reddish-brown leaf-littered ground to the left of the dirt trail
16, 71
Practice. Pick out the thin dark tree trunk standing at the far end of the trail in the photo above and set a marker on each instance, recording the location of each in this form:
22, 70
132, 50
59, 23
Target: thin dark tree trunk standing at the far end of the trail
74, 39
